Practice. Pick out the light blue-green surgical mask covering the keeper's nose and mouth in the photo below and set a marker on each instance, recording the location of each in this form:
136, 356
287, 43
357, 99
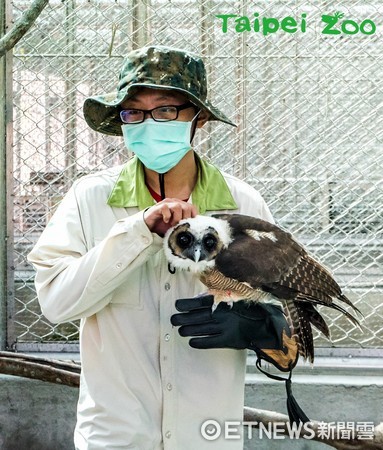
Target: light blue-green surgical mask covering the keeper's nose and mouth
158, 145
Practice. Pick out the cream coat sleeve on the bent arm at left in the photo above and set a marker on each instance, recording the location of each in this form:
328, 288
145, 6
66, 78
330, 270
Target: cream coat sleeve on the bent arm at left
73, 281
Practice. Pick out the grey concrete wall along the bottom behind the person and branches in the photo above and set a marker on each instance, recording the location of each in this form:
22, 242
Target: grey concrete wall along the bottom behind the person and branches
40, 416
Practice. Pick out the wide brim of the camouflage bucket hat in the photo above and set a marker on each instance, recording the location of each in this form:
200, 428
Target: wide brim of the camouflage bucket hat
102, 112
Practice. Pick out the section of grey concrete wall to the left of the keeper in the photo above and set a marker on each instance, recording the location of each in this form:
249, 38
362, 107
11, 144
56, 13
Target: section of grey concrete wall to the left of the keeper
35, 415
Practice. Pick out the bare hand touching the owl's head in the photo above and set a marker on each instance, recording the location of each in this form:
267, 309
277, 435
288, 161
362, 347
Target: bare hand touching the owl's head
167, 213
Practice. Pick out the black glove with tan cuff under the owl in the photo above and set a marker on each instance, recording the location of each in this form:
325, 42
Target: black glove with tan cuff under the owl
257, 326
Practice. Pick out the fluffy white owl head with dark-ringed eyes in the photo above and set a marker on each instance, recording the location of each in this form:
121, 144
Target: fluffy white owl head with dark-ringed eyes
193, 244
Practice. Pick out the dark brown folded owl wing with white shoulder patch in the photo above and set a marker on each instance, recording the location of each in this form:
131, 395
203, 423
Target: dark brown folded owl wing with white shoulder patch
267, 257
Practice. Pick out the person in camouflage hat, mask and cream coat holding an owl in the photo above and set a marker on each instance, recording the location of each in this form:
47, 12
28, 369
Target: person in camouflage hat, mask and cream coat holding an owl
100, 259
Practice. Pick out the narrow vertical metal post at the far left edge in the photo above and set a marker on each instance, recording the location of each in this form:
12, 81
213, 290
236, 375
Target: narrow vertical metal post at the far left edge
6, 269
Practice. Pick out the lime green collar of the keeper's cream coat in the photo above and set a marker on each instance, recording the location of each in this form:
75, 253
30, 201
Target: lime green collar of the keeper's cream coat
211, 193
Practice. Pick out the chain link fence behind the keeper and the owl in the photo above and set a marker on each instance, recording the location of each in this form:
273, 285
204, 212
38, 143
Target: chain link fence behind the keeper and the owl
310, 129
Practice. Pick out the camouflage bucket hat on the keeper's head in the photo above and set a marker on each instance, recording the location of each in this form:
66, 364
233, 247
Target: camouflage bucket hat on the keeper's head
154, 67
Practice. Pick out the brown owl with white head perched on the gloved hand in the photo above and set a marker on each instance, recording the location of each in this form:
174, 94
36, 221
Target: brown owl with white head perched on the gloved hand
239, 257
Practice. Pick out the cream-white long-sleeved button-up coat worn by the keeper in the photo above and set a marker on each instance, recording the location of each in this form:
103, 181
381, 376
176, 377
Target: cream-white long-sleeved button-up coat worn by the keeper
142, 386
